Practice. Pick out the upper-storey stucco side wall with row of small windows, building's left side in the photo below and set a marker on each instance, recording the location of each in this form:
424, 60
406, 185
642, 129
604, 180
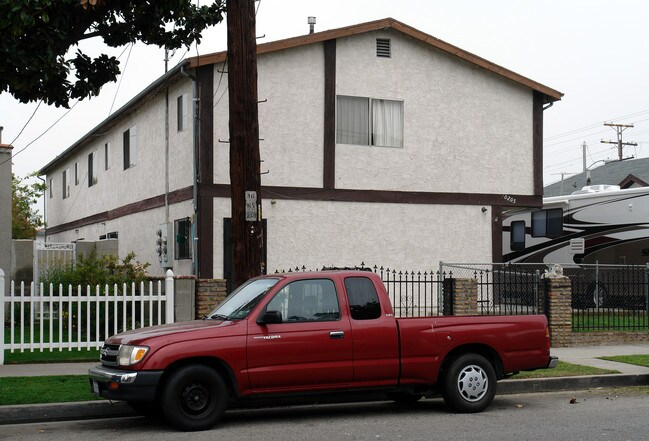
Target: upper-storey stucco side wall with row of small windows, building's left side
117, 187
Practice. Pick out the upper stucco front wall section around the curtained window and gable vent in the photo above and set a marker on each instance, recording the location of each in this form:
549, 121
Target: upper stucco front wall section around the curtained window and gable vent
466, 130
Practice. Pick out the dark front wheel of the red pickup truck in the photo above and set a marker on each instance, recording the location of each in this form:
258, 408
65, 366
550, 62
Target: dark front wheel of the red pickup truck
194, 398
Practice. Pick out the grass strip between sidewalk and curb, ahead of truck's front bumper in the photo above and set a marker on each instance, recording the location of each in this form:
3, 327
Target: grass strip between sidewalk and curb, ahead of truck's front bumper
54, 389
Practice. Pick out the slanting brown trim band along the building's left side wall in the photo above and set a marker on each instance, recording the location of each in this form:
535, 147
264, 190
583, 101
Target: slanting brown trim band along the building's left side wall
175, 197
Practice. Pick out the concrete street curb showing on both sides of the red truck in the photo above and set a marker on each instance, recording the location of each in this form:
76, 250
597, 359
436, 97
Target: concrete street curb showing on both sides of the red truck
84, 410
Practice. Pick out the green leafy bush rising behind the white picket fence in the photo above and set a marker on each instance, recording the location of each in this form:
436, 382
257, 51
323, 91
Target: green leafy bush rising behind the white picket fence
97, 270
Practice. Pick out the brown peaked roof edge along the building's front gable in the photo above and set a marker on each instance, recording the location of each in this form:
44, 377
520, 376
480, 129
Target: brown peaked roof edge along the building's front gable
549, 95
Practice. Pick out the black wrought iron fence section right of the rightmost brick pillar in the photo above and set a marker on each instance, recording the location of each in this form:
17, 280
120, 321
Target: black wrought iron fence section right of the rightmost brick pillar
609, 297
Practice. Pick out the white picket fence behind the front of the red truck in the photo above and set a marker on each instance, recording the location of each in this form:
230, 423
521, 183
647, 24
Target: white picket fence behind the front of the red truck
67, 318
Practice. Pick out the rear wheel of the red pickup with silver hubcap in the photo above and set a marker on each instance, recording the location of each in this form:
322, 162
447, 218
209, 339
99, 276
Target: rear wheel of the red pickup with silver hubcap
469, 383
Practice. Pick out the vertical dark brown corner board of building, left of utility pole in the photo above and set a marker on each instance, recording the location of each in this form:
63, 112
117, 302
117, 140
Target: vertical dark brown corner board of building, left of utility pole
205, 163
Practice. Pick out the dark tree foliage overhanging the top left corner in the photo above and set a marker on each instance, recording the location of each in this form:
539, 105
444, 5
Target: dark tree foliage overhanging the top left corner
38, 35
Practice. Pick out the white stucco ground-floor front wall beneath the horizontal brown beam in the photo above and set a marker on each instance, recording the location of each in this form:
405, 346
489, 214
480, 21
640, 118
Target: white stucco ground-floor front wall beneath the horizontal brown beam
399, 236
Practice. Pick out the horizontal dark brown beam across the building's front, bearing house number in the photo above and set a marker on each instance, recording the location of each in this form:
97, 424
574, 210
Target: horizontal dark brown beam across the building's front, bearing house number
388, 197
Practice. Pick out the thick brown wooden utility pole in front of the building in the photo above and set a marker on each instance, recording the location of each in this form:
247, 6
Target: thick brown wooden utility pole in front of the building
245, 179
